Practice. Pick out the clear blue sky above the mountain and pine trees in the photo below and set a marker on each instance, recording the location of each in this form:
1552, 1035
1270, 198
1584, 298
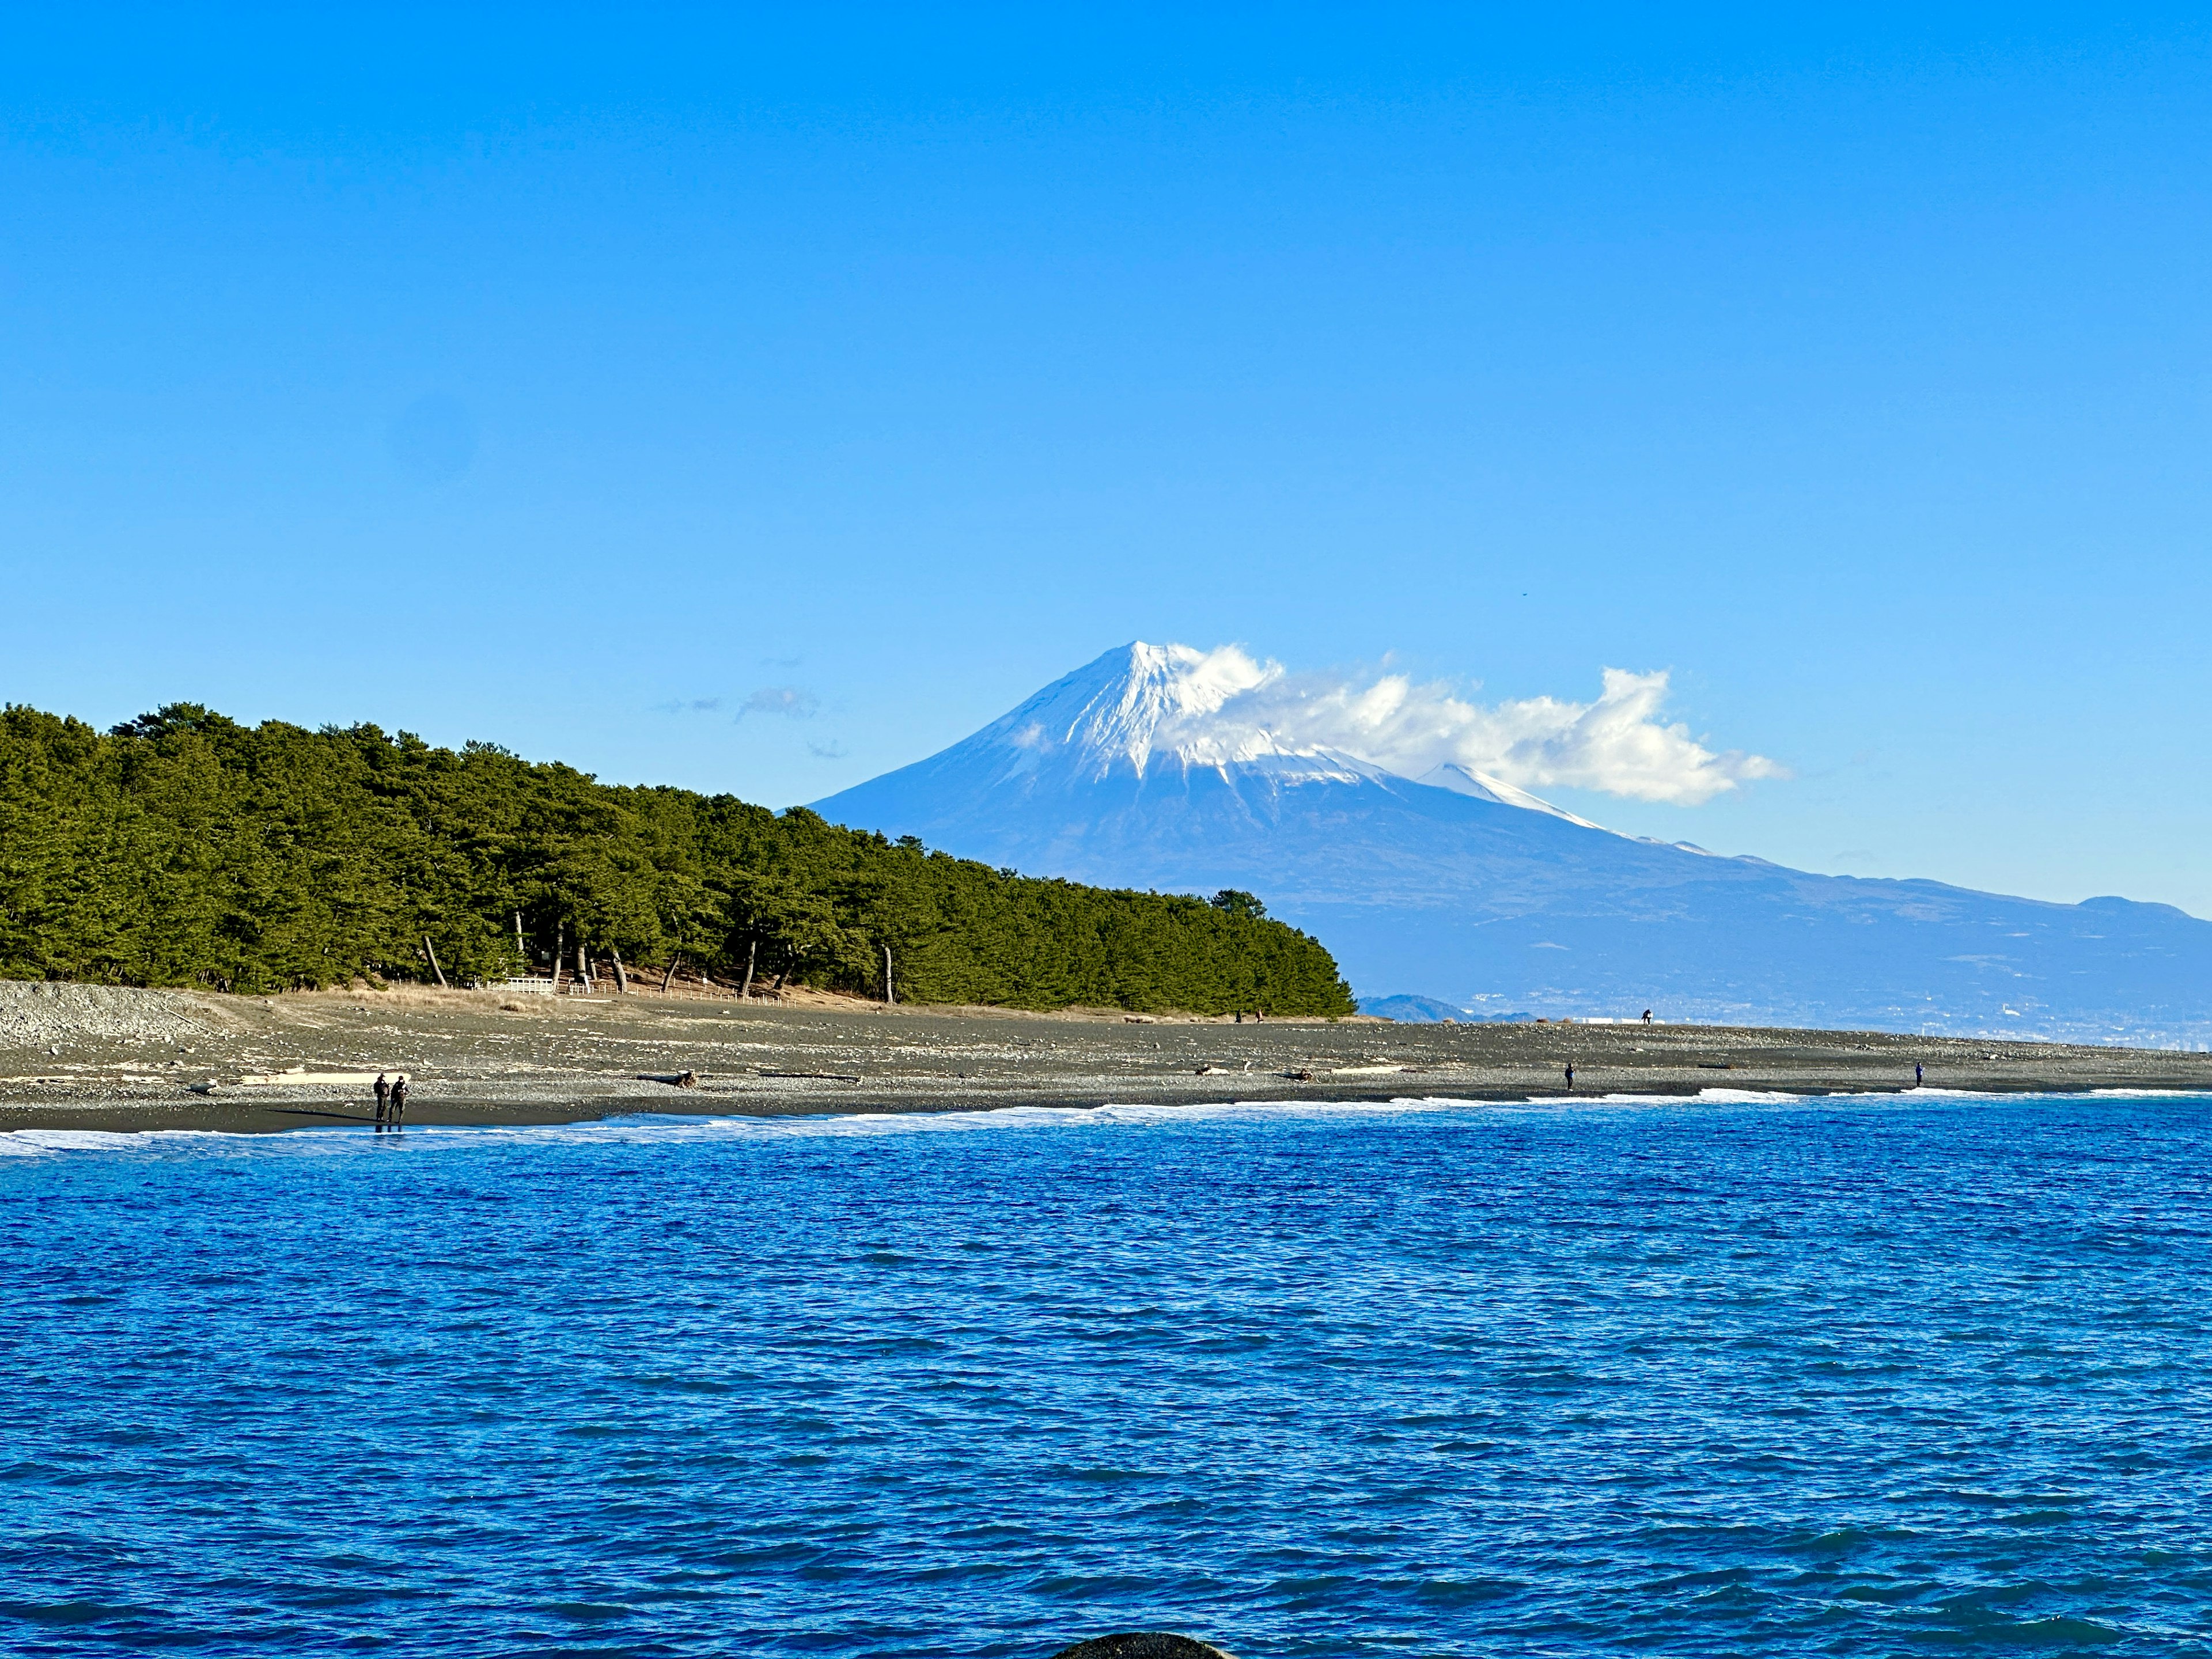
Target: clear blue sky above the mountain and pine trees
539, 377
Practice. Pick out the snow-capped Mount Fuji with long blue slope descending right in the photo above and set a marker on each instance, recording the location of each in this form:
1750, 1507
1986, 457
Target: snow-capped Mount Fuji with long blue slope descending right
1468, 890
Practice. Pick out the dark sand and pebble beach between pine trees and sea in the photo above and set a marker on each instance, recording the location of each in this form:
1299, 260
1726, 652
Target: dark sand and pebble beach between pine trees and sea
132, 1061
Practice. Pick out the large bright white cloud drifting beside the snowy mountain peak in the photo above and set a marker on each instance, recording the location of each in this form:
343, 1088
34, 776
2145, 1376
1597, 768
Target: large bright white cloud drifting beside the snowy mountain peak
1616, 744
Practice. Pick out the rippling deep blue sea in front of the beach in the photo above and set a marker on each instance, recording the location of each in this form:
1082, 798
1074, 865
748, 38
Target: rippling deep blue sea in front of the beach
1861, 1377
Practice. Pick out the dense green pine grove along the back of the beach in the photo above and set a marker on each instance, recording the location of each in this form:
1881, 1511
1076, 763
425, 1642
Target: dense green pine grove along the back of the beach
185, 848
